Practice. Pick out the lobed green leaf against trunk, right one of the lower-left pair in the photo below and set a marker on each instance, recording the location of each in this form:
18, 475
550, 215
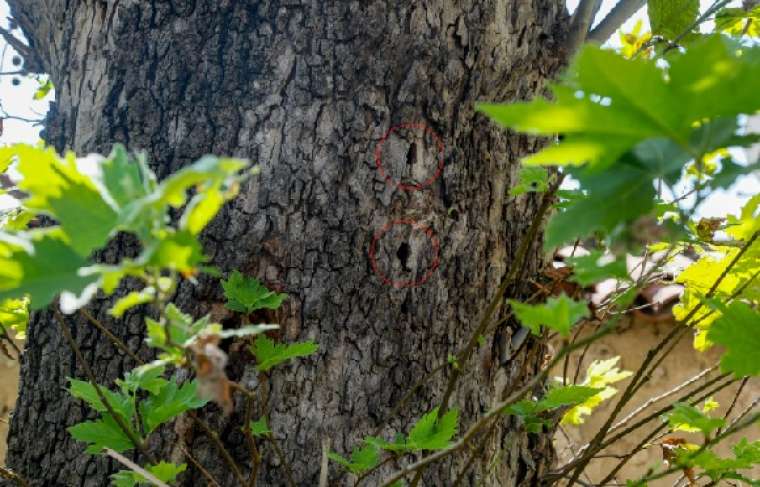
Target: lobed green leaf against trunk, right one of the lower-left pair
169, 403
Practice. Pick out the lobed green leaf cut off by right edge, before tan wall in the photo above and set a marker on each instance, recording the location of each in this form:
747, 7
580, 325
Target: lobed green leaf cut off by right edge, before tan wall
738, 330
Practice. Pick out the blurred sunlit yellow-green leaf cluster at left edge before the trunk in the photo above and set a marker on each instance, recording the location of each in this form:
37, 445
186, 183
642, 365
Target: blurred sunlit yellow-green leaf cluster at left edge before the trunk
90, 206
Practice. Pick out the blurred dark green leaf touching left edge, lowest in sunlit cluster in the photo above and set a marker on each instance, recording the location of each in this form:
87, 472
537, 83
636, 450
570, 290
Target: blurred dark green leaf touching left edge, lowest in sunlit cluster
43, 270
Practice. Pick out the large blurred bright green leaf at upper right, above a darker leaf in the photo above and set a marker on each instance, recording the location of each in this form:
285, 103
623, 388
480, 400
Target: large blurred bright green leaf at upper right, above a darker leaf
608, 104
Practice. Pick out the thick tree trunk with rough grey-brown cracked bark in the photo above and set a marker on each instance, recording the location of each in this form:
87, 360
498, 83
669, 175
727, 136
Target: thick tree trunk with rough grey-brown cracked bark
311, 91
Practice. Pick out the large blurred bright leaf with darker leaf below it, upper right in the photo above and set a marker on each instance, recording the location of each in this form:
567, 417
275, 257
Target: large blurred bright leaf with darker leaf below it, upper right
630, 125
